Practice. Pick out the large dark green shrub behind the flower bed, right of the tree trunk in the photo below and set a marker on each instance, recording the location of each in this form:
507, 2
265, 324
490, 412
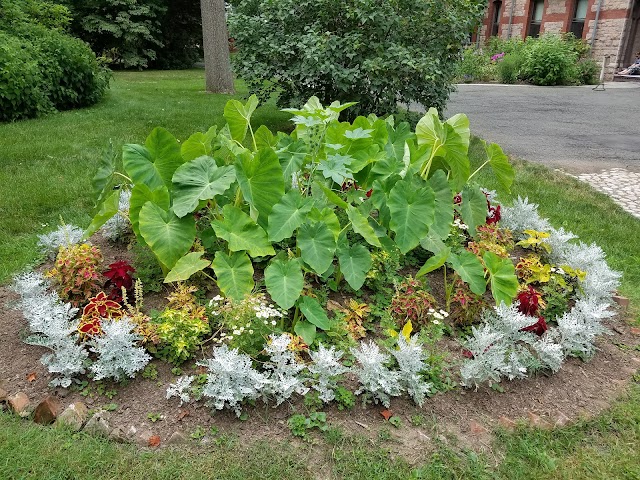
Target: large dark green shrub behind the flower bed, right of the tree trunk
375, 53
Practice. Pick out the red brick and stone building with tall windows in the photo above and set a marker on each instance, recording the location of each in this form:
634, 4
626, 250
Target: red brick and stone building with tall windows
611, 27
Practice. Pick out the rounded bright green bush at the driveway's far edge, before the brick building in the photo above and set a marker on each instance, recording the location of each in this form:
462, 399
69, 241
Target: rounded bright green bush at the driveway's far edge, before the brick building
549, 61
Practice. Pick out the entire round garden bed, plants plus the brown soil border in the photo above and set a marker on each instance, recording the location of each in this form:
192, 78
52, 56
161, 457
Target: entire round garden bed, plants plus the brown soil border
383, 260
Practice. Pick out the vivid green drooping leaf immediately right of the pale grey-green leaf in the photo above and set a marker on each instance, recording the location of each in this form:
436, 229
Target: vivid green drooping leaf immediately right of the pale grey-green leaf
261, 181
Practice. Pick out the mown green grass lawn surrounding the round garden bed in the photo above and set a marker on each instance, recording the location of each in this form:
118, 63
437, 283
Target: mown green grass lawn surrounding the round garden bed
45, 169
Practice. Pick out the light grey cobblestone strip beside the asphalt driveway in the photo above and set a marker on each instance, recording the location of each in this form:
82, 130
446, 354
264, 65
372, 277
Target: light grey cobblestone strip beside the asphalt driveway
620, 184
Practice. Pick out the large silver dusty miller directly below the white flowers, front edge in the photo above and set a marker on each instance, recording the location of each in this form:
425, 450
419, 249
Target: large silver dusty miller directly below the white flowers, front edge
231, 379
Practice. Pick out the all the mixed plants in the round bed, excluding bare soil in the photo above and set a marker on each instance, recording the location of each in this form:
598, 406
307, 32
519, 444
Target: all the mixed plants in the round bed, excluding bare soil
313, 263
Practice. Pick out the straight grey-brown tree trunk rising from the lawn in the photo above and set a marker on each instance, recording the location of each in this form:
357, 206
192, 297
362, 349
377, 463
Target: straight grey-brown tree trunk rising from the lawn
219, 78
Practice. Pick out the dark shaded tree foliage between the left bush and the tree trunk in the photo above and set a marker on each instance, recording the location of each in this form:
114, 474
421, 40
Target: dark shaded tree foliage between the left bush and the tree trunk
126, 32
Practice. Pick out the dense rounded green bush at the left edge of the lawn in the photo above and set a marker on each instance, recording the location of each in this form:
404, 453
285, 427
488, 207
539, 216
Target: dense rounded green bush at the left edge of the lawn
43, 68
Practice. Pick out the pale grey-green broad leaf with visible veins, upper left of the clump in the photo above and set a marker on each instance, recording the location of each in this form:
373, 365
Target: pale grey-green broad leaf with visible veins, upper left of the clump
199, 179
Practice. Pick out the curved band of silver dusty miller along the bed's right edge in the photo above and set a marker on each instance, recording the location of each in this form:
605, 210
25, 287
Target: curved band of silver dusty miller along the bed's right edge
500, 349
